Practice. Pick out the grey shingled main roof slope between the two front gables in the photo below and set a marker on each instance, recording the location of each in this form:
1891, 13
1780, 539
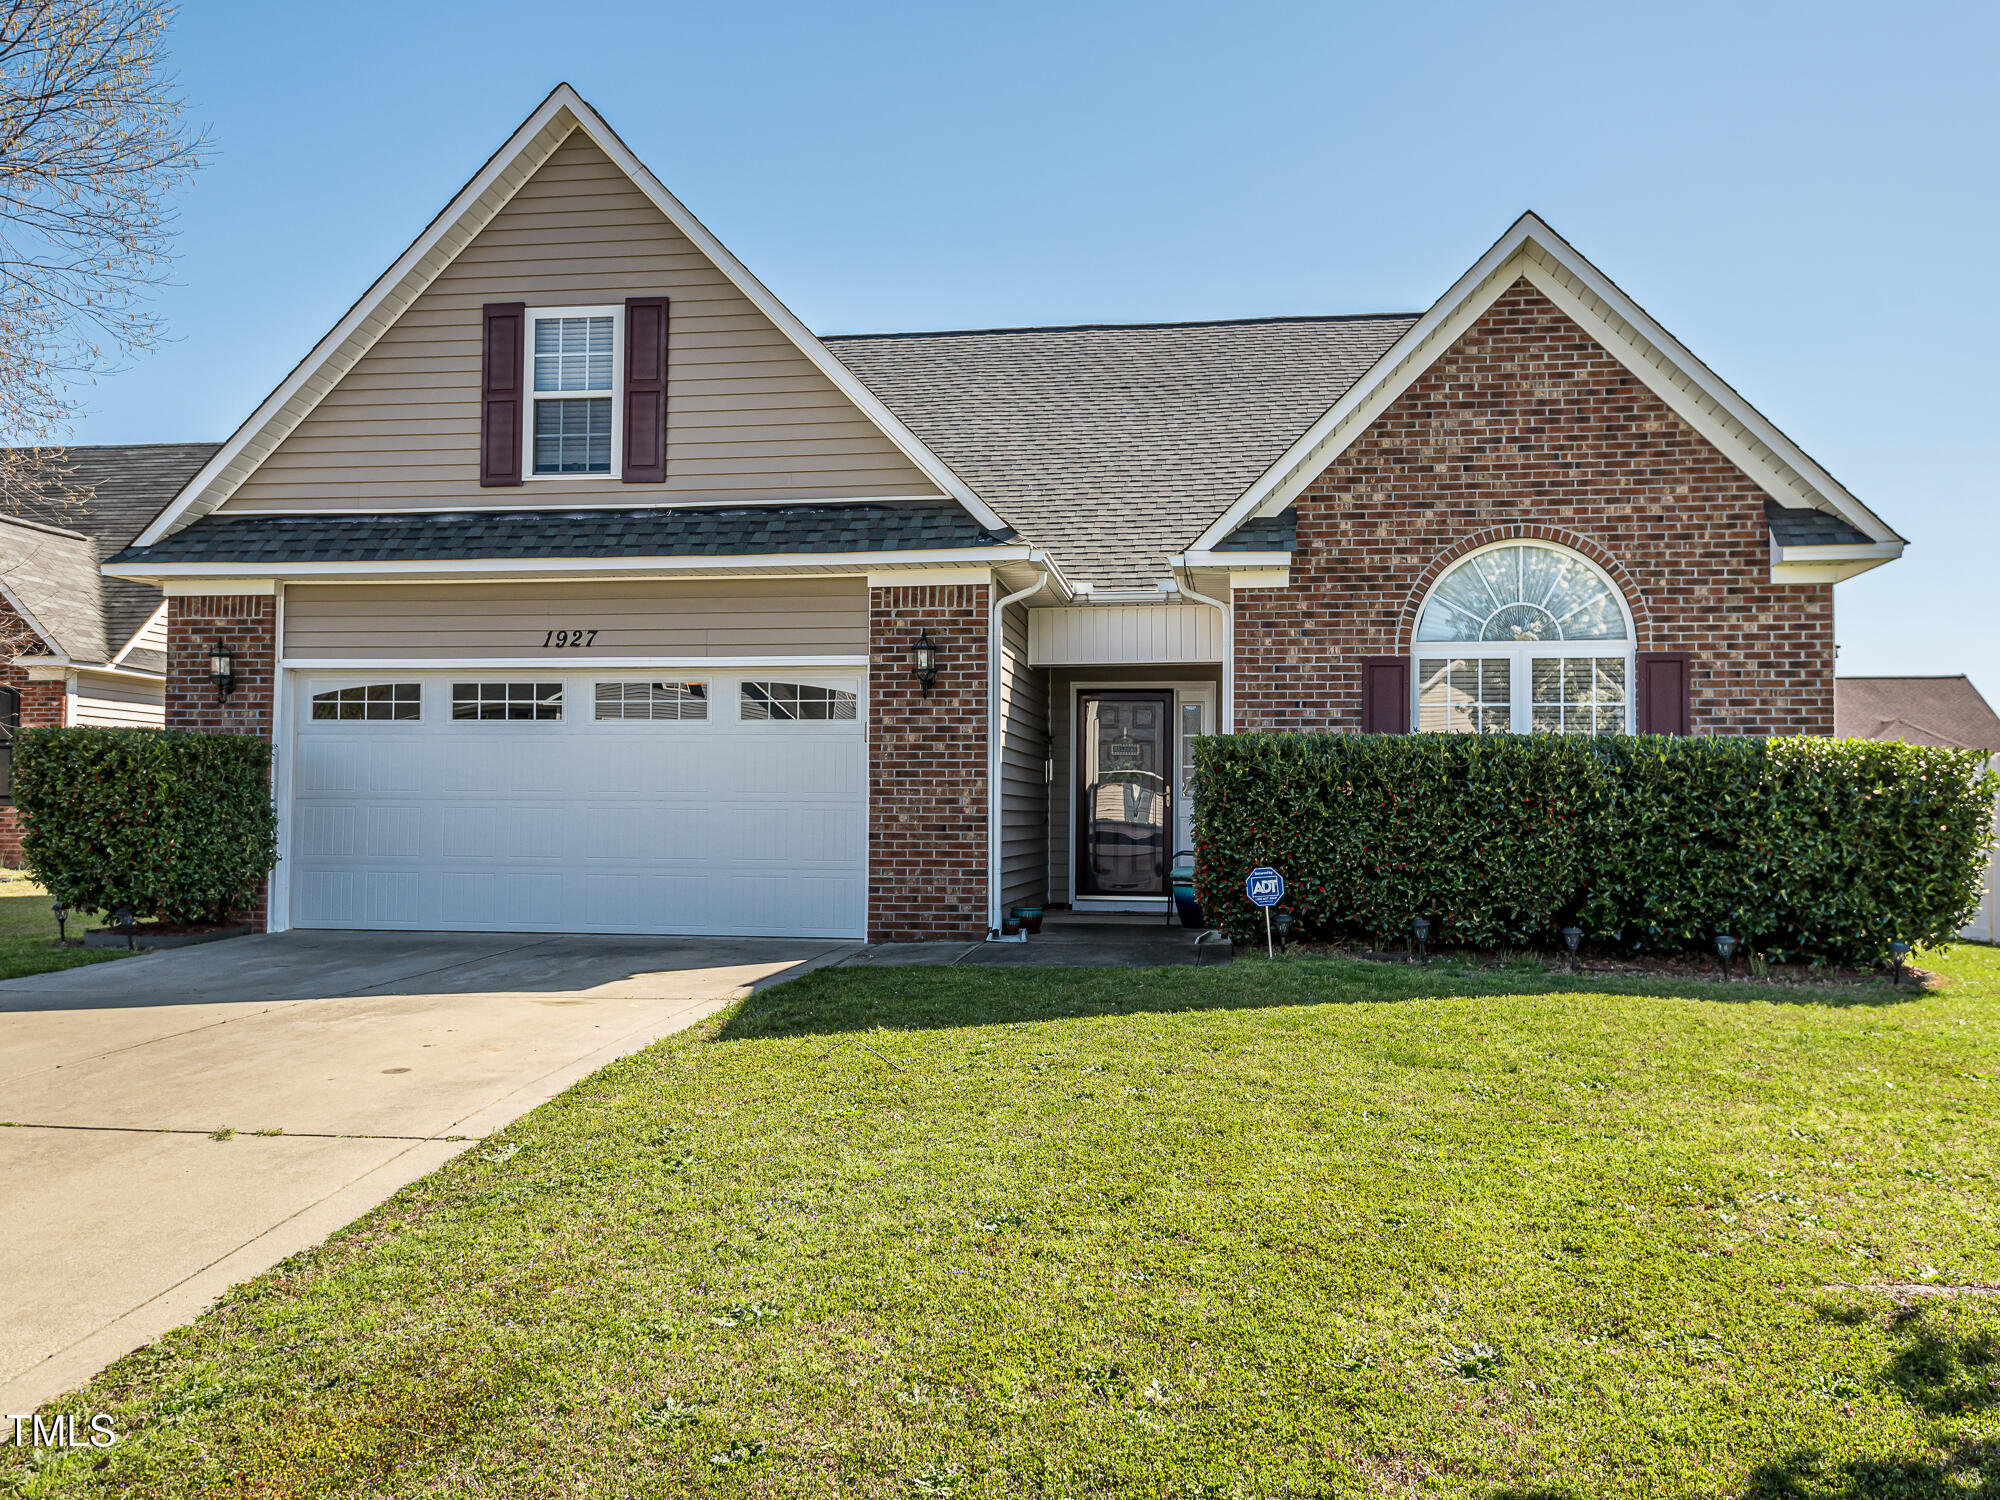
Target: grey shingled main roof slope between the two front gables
1115, 445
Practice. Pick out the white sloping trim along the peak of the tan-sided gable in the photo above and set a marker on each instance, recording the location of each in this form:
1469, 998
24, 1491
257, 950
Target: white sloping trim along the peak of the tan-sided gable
475, 207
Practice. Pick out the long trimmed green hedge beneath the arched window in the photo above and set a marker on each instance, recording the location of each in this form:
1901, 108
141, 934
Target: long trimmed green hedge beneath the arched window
1805, 849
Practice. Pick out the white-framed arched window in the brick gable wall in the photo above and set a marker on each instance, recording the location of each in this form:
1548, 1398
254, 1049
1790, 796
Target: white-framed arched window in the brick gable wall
1525, 639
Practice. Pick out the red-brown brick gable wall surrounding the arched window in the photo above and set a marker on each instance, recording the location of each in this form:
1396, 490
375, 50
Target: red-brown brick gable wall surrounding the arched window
1529, 429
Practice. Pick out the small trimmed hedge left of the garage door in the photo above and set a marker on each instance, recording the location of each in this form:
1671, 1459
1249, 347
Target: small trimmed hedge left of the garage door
169, 823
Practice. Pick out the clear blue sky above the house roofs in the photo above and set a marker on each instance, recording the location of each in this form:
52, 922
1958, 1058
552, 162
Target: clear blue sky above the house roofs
1803, 193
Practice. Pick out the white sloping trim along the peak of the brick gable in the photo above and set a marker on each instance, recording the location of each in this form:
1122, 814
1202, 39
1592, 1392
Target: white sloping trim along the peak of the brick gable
1581, 291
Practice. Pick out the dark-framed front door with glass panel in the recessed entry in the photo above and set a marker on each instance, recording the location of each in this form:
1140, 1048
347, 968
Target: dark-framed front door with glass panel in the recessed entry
1125, 751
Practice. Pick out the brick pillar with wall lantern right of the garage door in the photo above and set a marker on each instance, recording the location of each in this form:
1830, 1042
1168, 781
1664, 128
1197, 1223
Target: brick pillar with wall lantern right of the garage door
927, 765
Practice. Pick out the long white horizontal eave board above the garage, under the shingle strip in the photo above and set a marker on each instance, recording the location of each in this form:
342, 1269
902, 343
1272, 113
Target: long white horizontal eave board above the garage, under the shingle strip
263, 577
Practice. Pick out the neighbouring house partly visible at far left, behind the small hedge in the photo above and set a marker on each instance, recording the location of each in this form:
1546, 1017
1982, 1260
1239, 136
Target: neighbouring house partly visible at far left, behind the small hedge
83, 649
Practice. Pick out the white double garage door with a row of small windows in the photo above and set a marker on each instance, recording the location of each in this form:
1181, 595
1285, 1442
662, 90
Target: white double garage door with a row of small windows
613, 801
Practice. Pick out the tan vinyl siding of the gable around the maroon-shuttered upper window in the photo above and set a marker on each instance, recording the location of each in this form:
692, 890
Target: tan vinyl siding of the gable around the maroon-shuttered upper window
749, 417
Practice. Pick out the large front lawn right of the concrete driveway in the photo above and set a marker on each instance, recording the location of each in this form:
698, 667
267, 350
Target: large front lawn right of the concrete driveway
1299, 1229
